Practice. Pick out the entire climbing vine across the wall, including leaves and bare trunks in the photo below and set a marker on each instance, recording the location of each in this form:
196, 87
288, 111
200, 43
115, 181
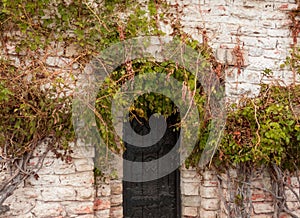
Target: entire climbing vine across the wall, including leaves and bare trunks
36, 102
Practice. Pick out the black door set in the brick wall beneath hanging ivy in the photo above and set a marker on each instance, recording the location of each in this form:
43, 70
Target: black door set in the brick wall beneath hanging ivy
158, 198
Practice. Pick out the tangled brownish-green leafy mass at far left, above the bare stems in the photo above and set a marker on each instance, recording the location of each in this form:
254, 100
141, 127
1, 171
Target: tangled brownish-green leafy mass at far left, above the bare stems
31, 113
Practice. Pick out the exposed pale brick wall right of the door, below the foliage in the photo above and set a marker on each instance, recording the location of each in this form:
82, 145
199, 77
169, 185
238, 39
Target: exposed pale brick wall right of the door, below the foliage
207, 195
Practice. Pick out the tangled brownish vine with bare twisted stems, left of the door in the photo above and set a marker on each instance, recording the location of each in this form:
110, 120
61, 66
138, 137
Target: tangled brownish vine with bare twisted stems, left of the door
32, 113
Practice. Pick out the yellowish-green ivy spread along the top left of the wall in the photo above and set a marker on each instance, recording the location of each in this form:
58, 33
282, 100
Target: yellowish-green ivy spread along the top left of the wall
91, 26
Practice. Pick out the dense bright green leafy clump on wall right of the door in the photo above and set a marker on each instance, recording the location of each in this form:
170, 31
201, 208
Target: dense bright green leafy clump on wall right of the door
264, 130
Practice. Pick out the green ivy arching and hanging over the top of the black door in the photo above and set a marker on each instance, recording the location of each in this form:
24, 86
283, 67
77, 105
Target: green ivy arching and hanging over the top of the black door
148, 103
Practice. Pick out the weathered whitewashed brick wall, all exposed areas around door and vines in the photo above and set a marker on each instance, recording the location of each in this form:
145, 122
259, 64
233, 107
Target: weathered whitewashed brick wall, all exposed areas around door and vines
261, 30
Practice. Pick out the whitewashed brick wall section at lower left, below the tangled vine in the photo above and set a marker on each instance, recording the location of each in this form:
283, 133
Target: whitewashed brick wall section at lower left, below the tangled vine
62, 190
